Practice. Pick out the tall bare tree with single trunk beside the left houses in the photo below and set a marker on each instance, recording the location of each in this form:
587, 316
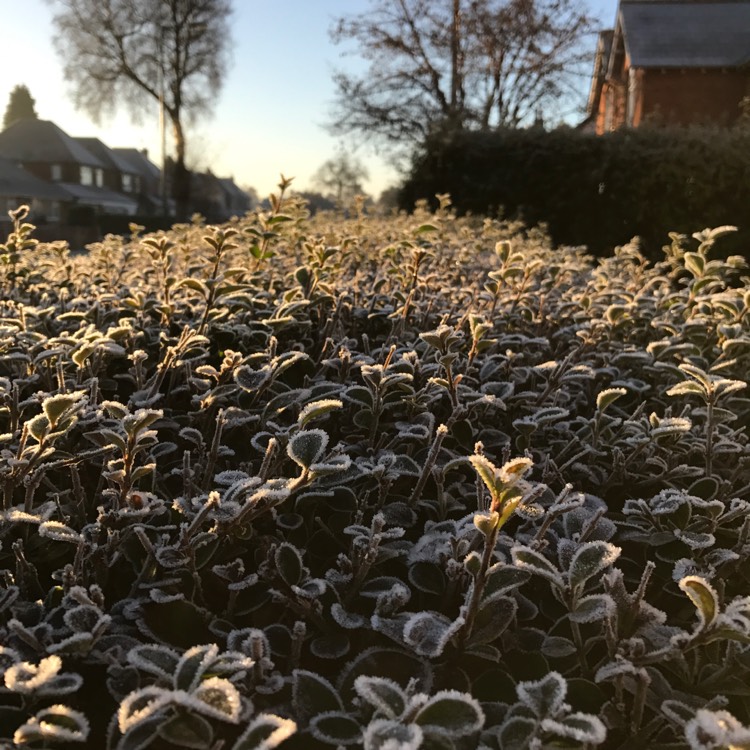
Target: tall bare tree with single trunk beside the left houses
173, 51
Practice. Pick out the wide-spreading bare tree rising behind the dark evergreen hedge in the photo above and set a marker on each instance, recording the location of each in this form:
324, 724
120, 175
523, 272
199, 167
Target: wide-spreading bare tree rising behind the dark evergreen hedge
455, 64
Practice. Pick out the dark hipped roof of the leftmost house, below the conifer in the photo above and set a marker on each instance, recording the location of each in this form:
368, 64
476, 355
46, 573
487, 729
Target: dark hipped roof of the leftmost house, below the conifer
32, 140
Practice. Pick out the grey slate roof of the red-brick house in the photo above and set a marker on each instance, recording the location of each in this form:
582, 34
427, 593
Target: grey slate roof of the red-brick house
694, 34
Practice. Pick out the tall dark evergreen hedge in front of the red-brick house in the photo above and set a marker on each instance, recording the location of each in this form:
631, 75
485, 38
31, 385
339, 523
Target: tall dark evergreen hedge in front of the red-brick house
598, 191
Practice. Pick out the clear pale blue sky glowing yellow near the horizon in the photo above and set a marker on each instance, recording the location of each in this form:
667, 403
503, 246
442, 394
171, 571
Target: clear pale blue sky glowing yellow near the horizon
270, 115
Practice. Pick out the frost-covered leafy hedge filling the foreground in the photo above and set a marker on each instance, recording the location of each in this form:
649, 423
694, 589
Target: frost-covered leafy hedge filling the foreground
403, 482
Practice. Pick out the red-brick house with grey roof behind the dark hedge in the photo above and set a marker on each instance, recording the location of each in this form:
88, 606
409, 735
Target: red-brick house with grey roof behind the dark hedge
671, 62
